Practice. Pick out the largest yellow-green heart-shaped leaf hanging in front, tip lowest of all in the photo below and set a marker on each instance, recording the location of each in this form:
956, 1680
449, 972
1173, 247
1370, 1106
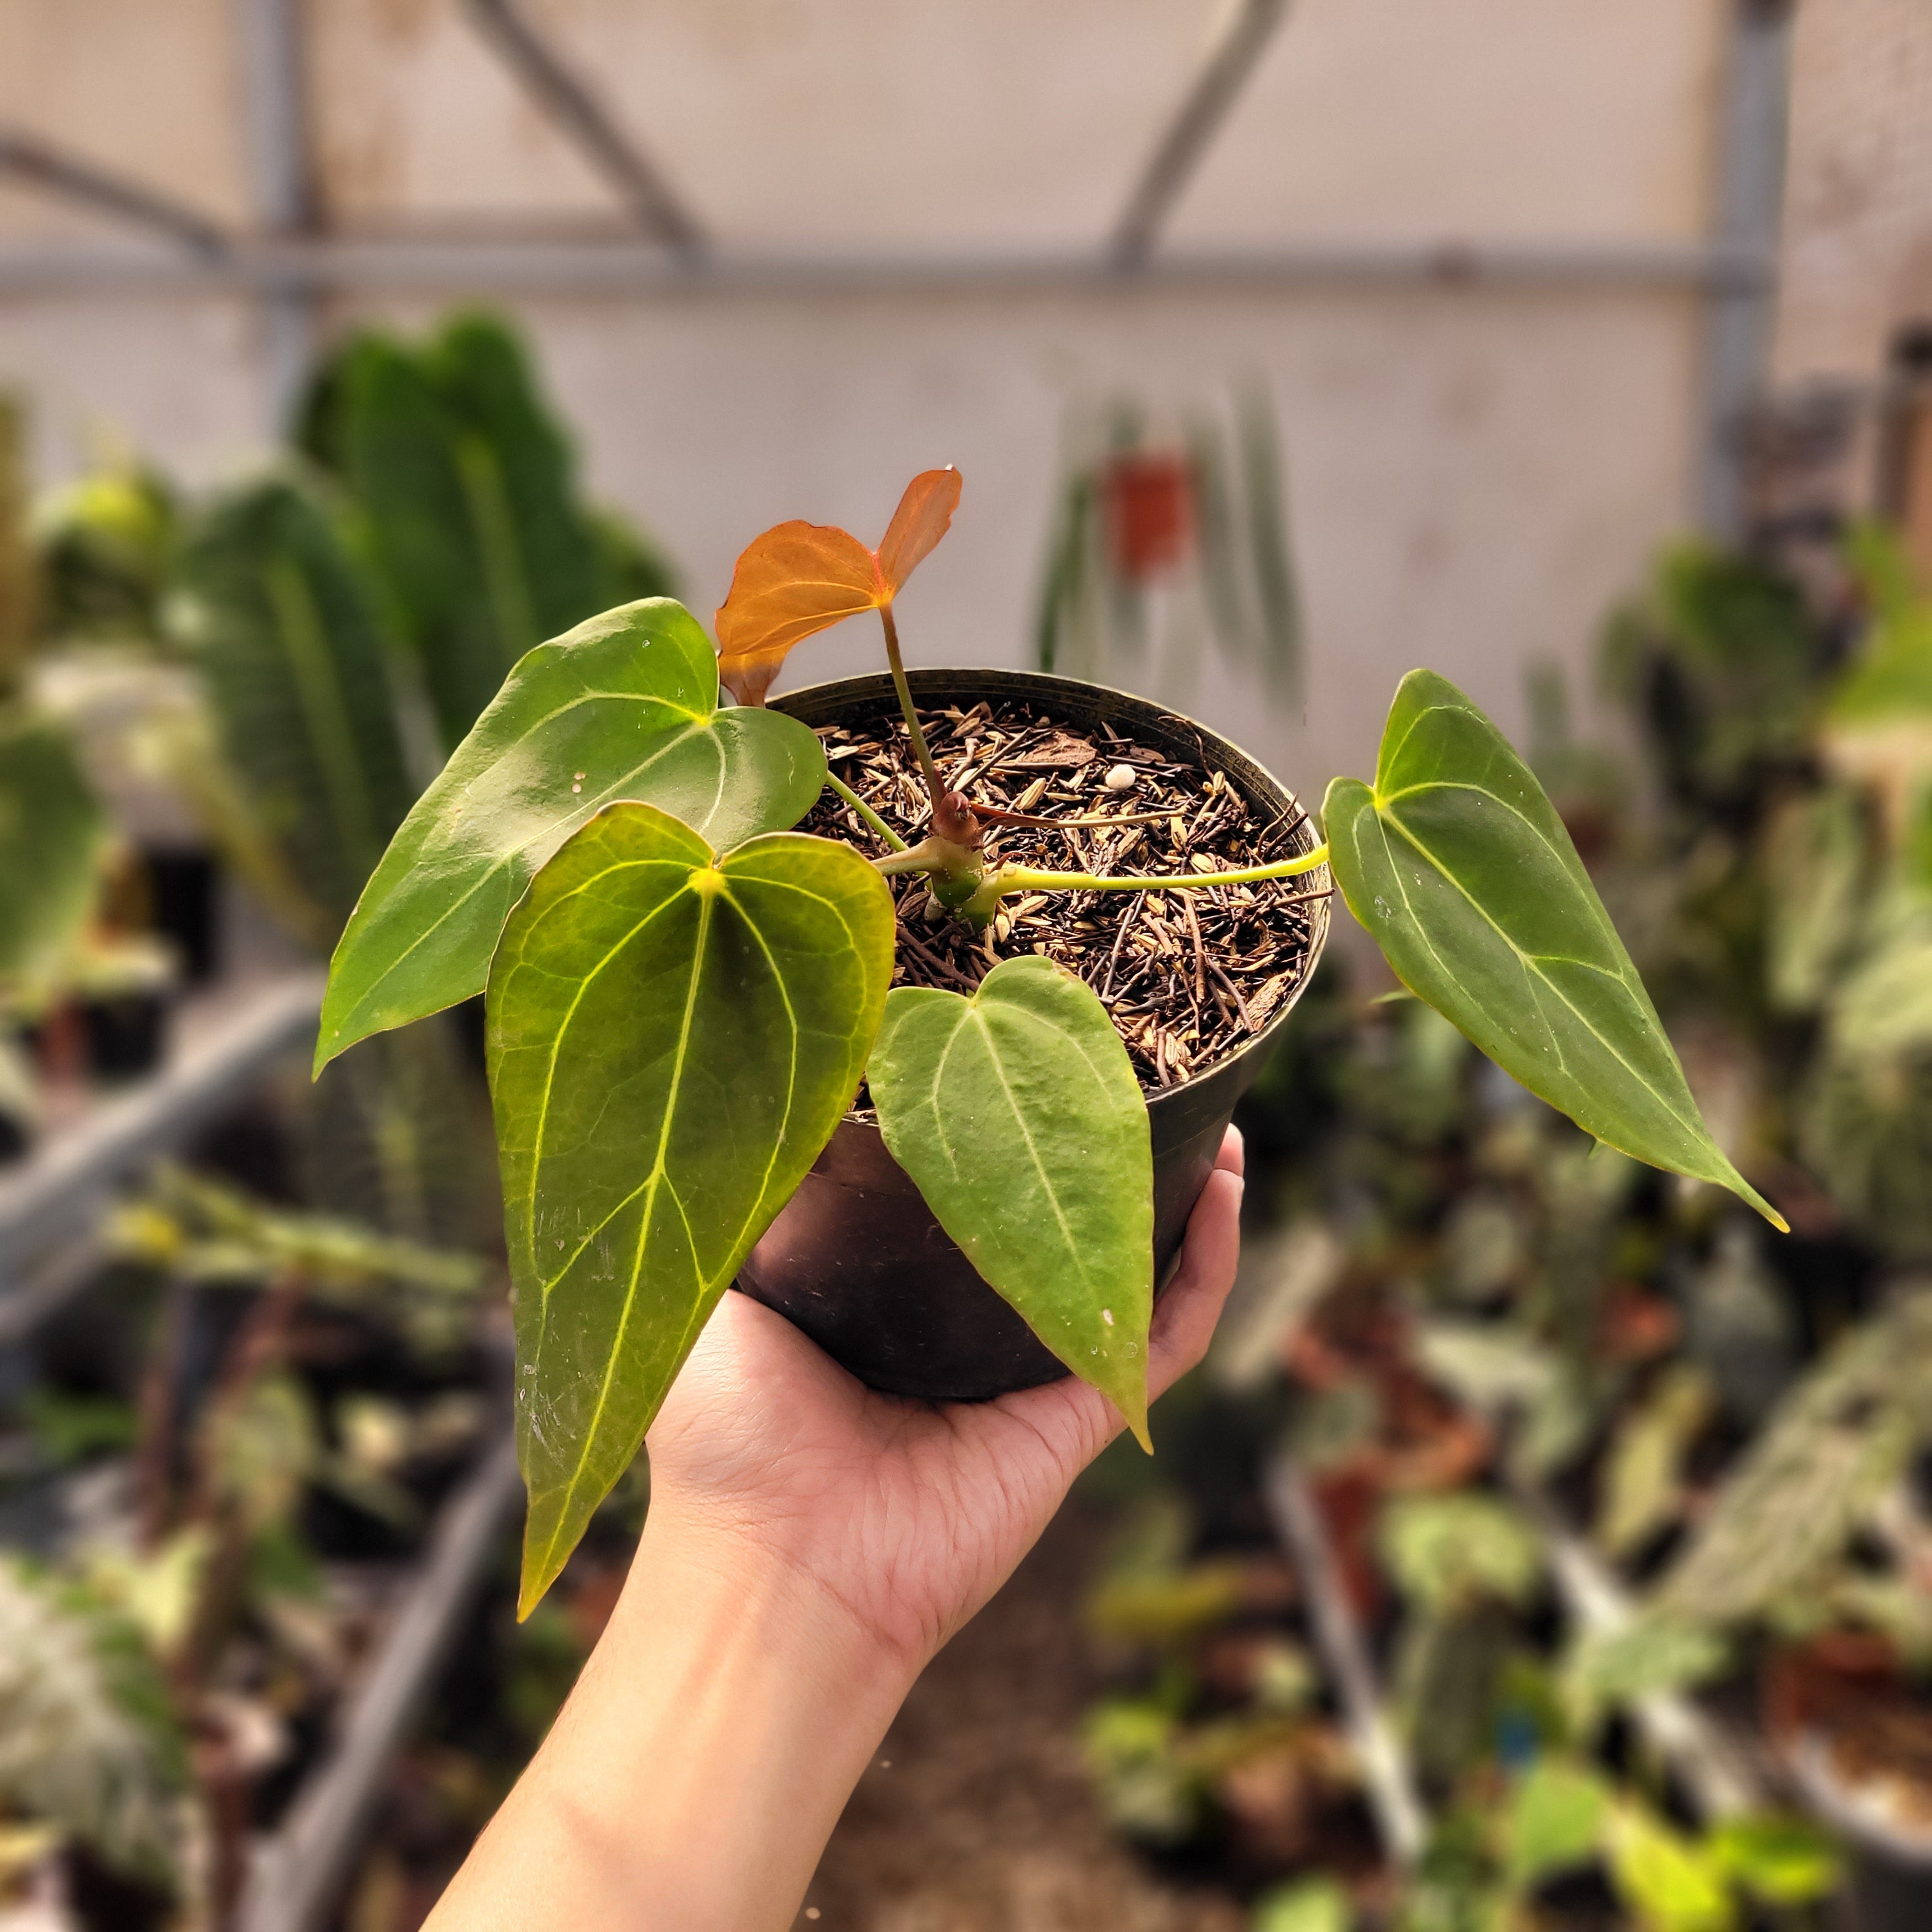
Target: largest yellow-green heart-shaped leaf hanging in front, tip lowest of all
673, 1038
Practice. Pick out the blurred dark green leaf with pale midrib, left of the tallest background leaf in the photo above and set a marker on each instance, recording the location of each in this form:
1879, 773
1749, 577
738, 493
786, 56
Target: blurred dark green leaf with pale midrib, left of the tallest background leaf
285, 629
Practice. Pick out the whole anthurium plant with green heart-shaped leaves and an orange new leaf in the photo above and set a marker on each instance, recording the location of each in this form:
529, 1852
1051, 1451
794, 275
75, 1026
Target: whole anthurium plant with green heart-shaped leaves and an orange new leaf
685, 994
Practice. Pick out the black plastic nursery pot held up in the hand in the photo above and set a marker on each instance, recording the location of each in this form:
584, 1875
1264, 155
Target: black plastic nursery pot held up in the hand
857, 1259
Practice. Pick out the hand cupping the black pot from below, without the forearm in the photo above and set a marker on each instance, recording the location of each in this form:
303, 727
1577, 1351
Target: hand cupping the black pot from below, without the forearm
903, 1516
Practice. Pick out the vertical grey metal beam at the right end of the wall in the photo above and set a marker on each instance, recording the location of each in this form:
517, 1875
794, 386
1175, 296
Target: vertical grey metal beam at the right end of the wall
1751, 190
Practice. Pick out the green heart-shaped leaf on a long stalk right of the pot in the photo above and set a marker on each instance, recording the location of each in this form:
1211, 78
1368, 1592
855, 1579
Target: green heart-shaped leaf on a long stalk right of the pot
1462, 870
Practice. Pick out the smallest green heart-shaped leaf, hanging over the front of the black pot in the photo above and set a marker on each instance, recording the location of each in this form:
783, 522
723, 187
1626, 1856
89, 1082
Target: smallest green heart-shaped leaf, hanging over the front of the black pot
1019, 1118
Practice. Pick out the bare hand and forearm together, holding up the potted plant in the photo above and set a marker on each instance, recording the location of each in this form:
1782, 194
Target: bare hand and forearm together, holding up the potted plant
809, 1548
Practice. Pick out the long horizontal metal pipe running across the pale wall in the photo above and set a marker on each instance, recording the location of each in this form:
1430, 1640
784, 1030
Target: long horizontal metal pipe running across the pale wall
619, 268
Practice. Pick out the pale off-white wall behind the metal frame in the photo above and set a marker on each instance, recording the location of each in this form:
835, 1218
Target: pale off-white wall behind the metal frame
1475, 472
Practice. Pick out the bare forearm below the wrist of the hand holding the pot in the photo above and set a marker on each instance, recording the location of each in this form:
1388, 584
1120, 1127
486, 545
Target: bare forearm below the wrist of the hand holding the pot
702, 1761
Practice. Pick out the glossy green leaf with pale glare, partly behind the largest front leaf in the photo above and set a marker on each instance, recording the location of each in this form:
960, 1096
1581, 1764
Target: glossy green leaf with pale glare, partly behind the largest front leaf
625, 706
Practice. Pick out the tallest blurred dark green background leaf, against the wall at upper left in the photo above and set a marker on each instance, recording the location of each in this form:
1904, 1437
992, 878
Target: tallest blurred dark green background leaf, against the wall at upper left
469, 507
